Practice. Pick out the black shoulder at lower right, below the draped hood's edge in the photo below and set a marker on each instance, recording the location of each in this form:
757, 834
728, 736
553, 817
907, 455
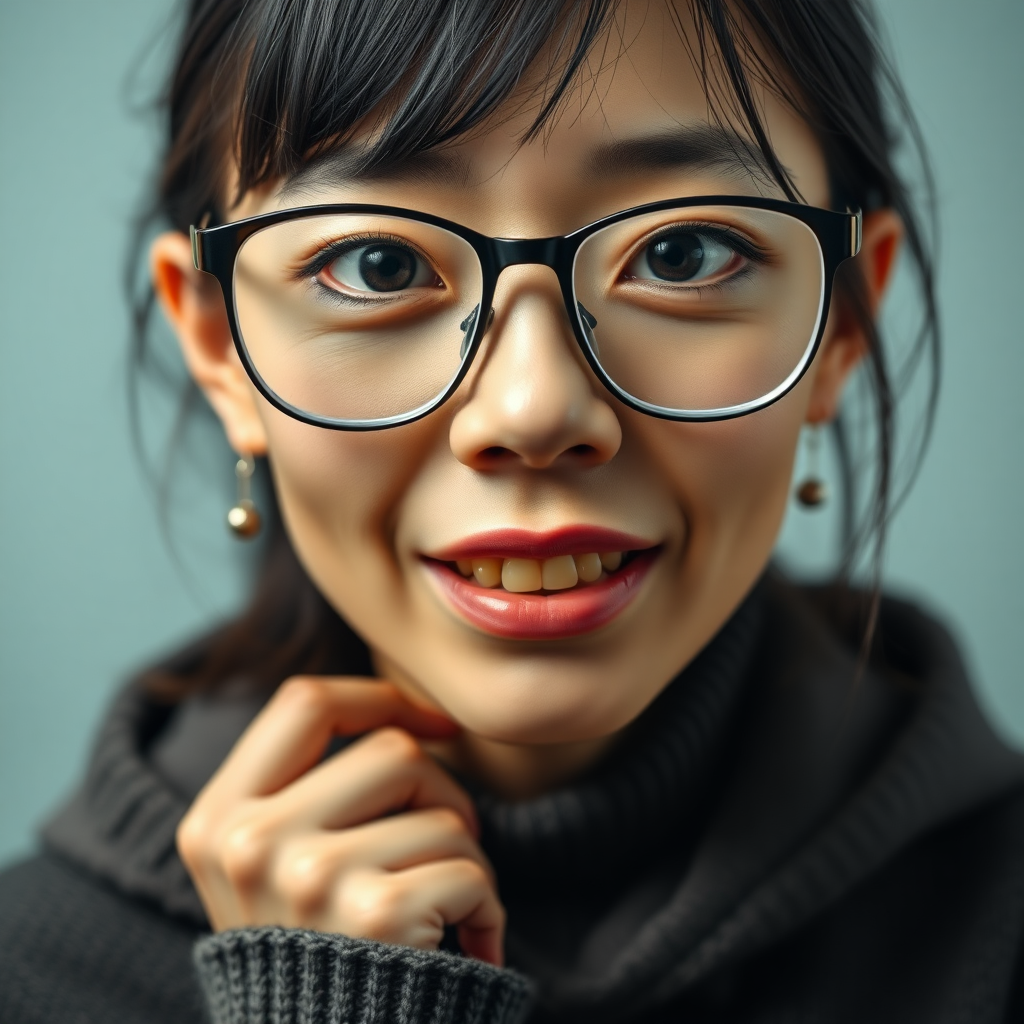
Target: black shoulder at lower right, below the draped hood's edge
937, 933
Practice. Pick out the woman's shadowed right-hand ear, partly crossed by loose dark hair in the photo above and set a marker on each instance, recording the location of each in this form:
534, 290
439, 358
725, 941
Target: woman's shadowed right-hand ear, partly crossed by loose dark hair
845, 346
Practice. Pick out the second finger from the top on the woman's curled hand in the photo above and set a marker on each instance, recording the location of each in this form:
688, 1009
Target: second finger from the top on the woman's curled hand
379, 775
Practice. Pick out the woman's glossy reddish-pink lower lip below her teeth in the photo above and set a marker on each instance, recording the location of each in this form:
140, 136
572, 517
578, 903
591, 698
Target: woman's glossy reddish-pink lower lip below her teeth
550, 617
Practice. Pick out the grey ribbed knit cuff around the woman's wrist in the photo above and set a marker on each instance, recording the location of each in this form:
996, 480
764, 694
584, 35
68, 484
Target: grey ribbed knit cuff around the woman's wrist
289, 976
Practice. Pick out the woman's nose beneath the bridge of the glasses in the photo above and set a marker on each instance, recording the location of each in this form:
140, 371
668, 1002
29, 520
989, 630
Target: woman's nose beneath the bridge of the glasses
533, 400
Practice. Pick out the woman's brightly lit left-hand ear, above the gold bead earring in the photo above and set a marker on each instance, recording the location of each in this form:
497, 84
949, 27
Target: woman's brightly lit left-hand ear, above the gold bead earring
195, 307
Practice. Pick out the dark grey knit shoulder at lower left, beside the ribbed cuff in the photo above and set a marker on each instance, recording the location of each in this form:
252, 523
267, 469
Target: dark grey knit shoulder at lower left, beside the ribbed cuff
73, 949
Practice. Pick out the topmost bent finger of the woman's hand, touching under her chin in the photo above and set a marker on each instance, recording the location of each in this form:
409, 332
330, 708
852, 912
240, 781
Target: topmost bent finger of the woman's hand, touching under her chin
289, 737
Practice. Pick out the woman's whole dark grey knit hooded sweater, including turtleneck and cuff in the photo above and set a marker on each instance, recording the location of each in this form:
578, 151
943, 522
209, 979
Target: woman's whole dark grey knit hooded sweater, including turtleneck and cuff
774, 843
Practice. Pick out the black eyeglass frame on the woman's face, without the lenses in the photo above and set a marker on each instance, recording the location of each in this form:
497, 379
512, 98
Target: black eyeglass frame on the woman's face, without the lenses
216, 249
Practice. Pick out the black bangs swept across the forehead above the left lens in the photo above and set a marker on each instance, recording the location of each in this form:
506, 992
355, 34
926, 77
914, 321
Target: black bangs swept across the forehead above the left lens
417, 73
